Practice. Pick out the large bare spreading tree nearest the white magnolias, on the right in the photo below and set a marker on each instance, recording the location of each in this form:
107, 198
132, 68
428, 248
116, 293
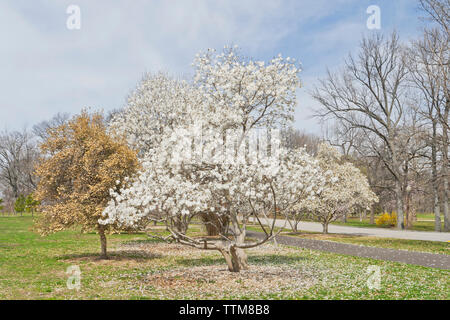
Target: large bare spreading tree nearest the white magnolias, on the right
369, 96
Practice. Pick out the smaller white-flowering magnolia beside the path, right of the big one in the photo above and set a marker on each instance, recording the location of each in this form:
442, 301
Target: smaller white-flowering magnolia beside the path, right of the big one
343, 190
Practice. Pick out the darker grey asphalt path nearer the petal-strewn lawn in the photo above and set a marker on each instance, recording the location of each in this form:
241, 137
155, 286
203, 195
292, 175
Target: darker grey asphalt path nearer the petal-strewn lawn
439, 261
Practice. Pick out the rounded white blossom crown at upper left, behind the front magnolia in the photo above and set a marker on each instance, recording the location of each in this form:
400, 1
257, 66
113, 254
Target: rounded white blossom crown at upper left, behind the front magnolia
158, 105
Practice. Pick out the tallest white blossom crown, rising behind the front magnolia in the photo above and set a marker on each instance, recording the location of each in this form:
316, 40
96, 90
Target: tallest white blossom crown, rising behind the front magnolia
258, 94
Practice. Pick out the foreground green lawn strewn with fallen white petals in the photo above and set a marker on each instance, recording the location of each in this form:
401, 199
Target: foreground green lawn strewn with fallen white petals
33, 267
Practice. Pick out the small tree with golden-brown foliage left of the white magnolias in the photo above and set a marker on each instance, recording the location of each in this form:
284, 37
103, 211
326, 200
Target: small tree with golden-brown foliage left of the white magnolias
81, 164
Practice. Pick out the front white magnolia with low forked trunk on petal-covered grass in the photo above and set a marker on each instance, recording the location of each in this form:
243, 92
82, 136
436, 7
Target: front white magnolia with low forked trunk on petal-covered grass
174, 188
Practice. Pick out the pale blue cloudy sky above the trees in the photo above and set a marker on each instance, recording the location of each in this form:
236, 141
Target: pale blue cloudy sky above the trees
47, 68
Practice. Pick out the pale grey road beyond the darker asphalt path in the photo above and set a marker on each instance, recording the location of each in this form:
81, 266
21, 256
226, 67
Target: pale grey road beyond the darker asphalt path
373, 232
